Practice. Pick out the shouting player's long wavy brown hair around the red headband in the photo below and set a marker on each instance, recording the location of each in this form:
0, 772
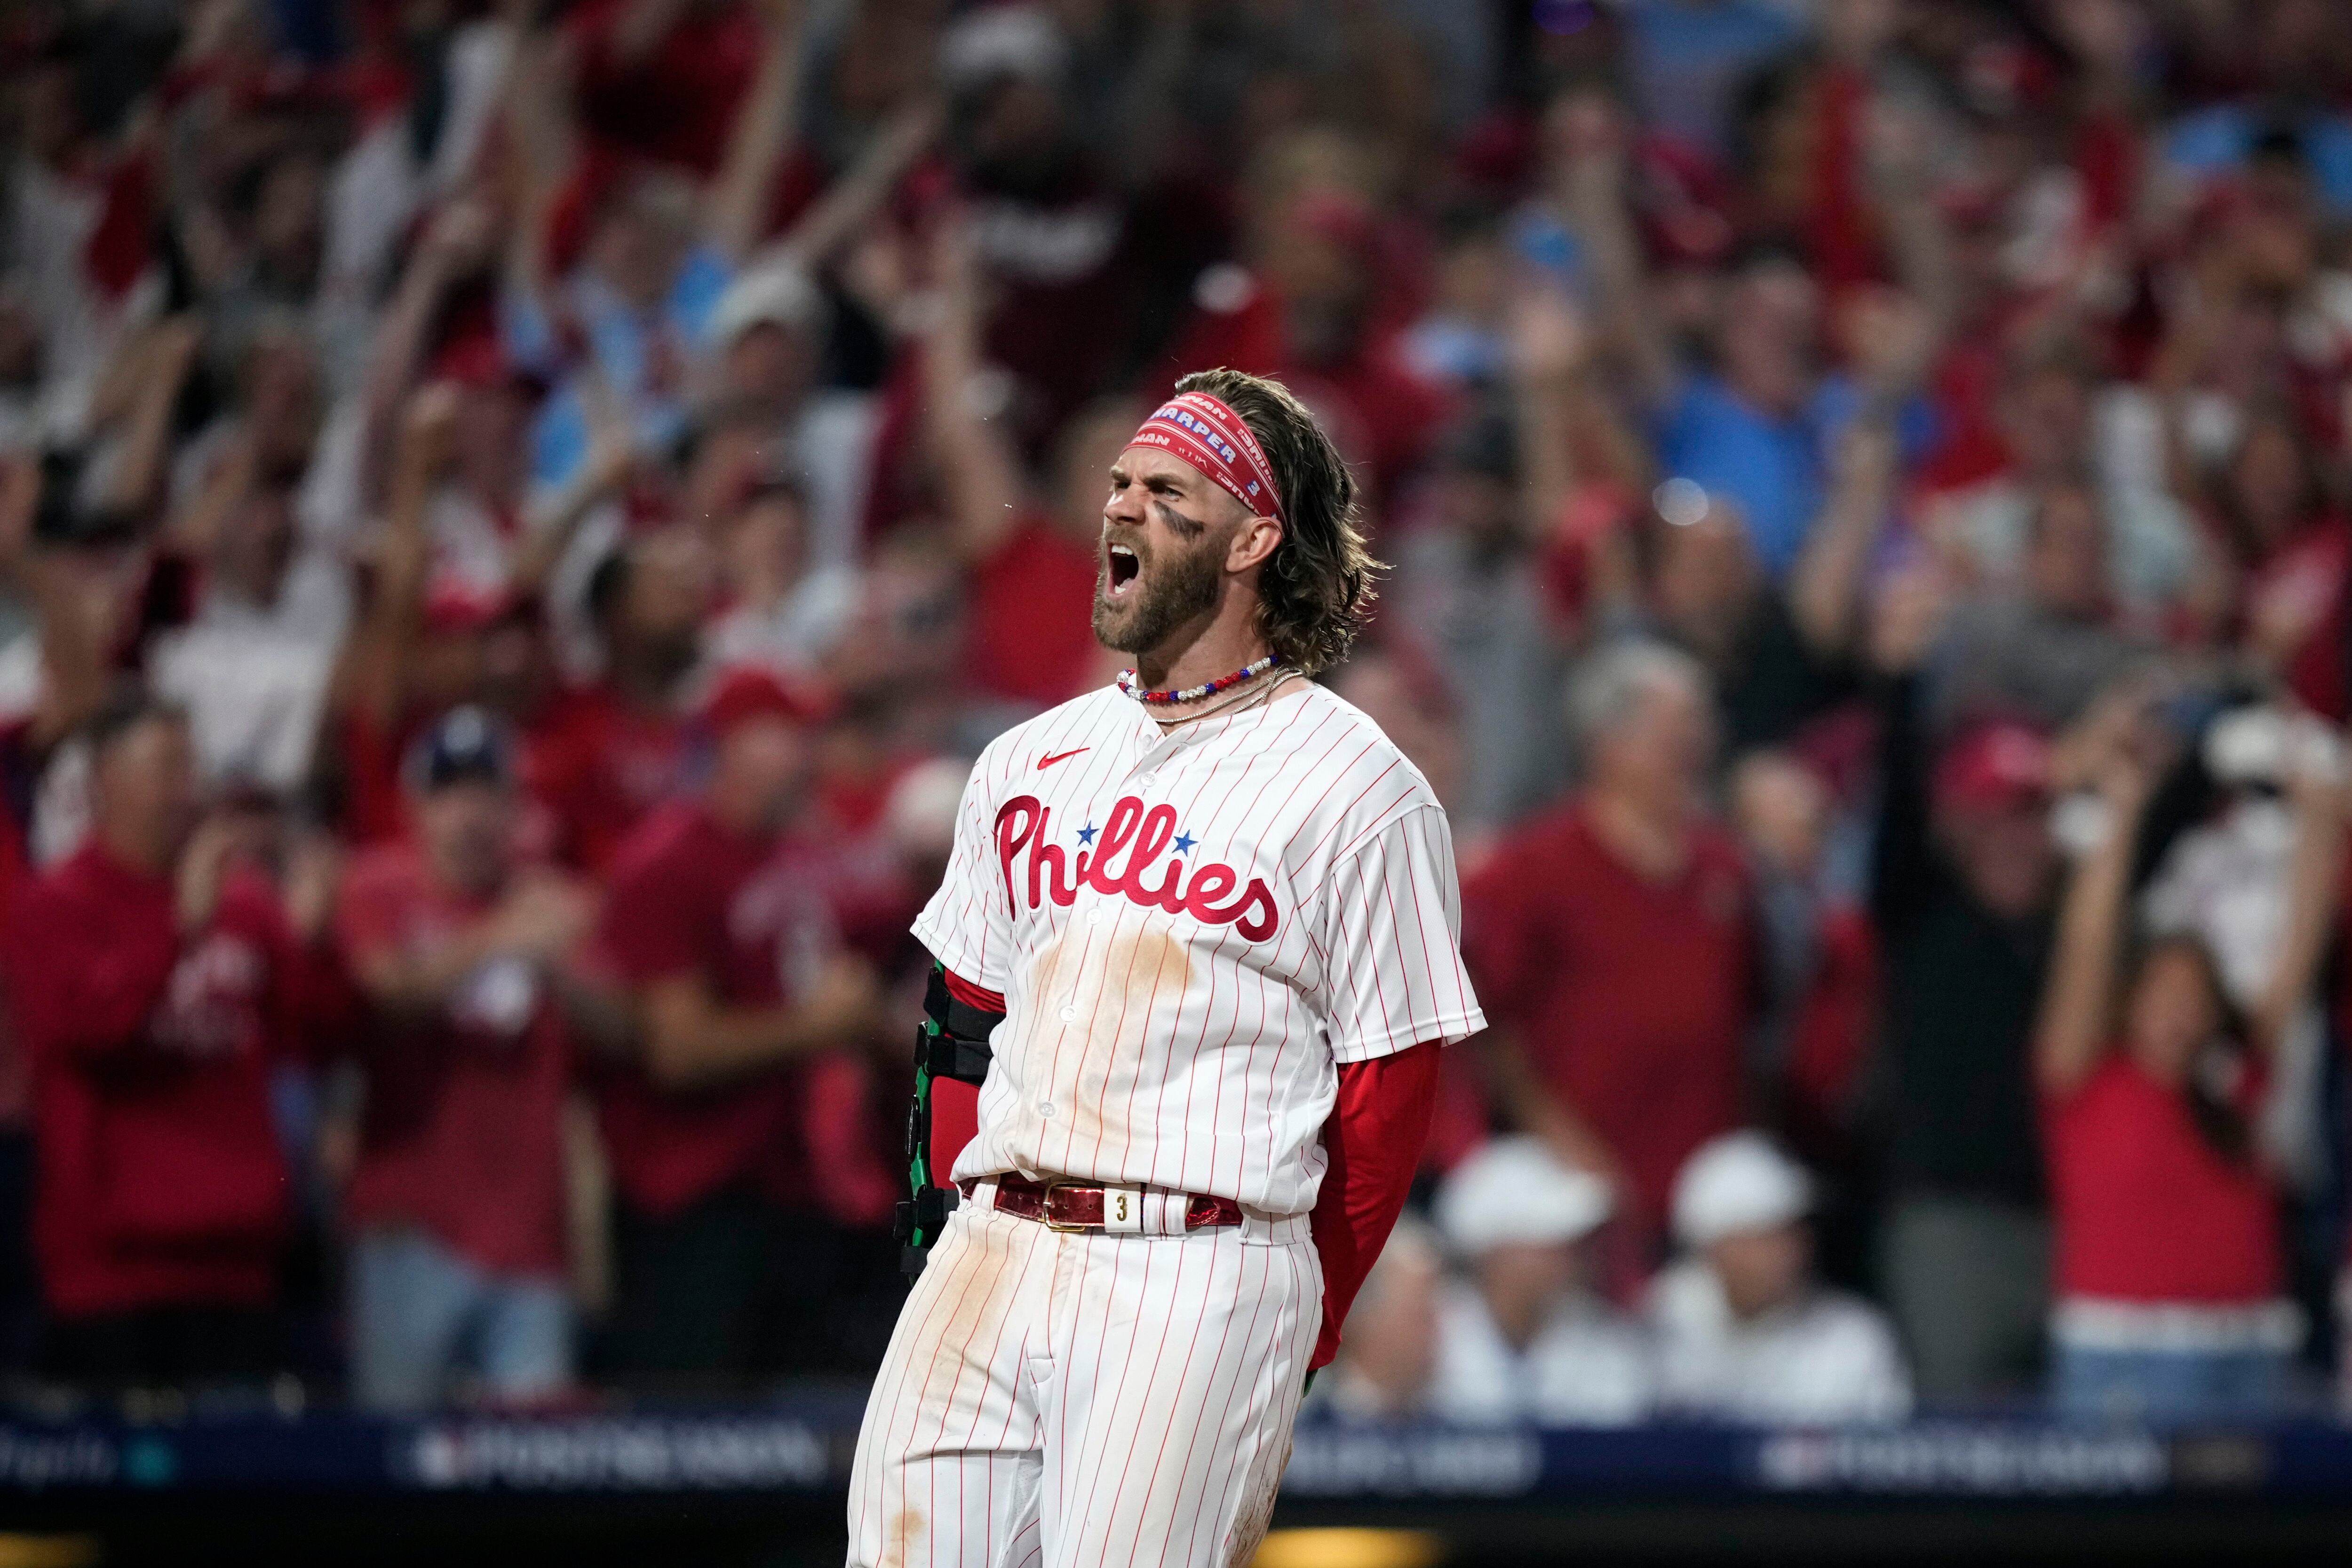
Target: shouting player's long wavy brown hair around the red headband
1318, 584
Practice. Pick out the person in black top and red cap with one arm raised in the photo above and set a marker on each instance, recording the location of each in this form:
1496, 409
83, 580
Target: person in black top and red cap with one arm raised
1960, 894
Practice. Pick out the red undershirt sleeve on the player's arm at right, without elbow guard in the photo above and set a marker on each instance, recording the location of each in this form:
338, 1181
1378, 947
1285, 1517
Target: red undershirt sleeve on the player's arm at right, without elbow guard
1372, 1144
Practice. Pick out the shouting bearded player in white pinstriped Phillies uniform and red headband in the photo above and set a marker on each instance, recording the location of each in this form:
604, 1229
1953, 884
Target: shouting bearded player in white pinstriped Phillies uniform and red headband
1198, 944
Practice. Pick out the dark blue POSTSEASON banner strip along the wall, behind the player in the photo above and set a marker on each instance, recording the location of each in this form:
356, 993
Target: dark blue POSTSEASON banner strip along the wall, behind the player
806, 1449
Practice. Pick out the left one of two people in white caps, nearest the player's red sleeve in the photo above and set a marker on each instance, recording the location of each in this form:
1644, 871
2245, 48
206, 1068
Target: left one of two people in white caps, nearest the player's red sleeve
1525, 1336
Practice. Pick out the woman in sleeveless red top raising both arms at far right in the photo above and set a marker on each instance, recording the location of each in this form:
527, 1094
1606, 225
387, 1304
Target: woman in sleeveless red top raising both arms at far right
2170, 1282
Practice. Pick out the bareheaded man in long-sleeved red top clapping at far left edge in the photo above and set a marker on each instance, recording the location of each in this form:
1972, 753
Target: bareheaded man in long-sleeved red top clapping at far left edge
156, 981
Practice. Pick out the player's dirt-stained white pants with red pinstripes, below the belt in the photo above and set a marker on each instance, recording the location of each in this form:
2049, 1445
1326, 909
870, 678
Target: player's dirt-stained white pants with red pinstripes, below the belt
1083, 1400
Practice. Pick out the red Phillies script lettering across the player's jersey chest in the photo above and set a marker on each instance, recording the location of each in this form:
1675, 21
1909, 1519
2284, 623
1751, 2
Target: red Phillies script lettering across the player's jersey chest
1142, 836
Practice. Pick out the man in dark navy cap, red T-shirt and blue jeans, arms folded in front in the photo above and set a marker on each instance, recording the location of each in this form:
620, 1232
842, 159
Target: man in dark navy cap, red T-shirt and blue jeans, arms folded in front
457, 1200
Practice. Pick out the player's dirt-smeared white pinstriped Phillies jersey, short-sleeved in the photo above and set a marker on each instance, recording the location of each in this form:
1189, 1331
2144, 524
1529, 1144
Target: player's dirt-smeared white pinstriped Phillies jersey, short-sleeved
1191, 932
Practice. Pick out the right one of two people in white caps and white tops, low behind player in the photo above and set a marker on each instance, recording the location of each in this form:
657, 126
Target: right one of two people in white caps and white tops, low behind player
1744, 1329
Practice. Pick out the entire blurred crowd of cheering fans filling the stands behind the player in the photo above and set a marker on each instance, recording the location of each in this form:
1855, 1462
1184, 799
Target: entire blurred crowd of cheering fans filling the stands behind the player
519, 514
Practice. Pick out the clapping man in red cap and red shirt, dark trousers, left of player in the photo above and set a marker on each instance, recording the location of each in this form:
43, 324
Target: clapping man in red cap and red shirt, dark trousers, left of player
726, 958
